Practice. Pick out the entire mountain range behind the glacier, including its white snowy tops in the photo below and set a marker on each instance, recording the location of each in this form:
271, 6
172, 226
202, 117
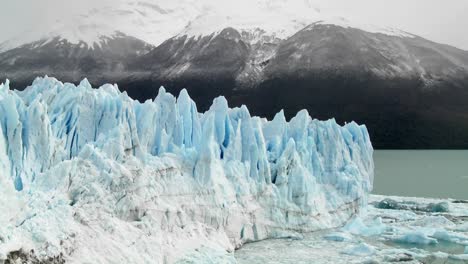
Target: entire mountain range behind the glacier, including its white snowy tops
267, 54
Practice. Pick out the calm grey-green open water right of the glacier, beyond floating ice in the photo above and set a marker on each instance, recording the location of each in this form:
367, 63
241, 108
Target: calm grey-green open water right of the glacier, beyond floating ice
422, 173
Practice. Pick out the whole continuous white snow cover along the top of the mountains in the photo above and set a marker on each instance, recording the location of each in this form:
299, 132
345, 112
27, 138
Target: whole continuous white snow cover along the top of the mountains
156, 21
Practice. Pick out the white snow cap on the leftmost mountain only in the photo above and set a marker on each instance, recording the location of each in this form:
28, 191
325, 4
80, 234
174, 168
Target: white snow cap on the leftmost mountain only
91, 24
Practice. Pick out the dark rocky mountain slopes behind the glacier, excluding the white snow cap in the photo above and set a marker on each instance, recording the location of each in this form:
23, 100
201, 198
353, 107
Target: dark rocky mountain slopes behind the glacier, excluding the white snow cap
400, 85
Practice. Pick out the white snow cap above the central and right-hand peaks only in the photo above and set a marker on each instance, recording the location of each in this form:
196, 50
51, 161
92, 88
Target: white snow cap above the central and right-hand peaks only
277, 19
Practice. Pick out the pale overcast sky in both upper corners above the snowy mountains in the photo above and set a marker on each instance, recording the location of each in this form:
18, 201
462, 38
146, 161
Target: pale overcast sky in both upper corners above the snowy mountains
444, 21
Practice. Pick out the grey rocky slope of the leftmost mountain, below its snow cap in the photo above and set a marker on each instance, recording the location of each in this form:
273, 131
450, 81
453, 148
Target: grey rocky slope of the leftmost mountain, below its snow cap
71, 61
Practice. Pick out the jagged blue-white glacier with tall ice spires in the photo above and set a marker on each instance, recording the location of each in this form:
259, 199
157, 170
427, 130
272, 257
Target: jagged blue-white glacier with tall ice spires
92, 176
